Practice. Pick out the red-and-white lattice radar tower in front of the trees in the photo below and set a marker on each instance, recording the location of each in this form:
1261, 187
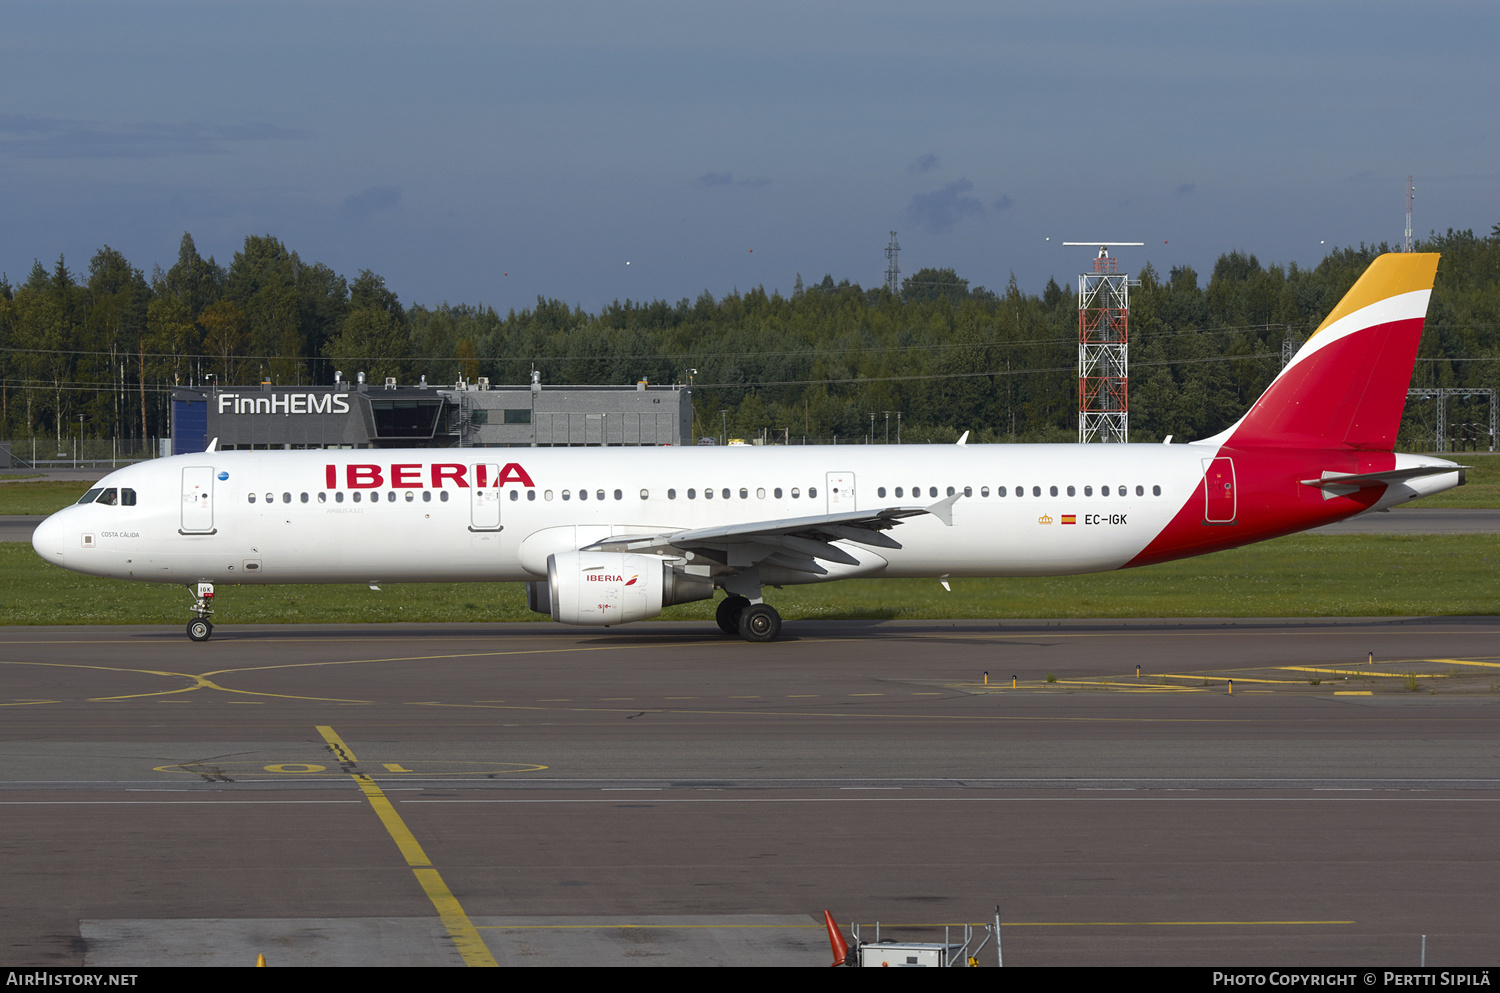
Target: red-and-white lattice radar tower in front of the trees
1105, 347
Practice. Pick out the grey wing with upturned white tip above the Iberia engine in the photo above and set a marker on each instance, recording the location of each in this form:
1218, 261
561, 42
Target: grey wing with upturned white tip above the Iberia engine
794, 542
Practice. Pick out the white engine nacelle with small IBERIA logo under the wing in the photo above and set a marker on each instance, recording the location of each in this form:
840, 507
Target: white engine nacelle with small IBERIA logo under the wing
613, 589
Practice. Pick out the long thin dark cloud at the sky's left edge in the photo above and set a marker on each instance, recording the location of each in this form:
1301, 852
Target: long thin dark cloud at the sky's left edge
32, 137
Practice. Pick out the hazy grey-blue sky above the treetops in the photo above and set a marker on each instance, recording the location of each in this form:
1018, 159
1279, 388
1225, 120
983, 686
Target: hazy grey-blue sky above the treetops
497, 152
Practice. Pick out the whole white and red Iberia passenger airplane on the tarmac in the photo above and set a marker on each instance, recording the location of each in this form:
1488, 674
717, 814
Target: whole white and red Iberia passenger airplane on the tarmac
610, 536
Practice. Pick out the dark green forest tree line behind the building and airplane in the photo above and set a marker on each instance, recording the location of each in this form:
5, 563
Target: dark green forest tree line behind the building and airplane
98, 352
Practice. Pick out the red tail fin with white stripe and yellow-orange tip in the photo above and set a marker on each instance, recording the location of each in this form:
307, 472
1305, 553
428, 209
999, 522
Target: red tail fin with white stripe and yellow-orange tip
1348, 386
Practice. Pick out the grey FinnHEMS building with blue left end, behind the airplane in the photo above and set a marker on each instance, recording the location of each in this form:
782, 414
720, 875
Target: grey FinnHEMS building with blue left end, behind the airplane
466, 416
